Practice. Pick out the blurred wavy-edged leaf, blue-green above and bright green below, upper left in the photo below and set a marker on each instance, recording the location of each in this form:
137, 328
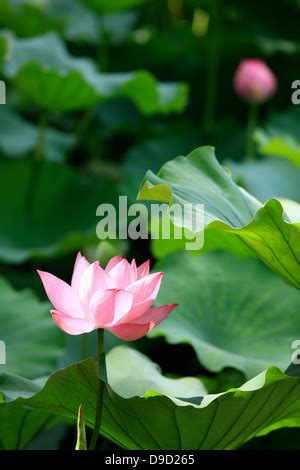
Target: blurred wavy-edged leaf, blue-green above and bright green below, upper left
46, 73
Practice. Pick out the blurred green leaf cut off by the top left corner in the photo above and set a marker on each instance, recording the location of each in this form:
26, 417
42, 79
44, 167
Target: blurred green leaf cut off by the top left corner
28, 18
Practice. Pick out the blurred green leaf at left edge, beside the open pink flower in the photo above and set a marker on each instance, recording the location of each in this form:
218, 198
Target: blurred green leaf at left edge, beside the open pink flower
33, 343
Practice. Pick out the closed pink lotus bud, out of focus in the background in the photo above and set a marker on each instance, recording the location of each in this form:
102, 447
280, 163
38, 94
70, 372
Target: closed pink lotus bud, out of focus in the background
254, 81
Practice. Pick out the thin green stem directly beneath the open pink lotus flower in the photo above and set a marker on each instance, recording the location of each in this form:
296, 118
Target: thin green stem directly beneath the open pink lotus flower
100, 389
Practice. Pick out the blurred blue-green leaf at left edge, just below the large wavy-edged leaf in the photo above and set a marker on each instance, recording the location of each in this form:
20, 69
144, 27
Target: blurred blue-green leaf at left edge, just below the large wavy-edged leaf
12, 125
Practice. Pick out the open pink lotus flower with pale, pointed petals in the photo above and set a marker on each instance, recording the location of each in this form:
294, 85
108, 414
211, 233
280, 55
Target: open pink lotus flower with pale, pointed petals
118, 298
